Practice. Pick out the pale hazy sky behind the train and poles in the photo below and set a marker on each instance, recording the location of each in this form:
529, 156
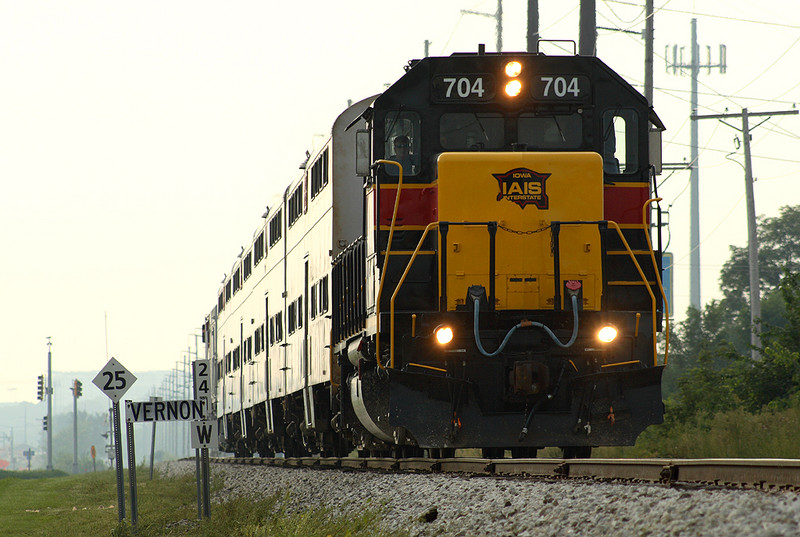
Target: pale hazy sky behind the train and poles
141, 141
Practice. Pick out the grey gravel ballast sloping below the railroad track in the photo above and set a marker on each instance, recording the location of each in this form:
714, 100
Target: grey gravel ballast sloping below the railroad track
457, 505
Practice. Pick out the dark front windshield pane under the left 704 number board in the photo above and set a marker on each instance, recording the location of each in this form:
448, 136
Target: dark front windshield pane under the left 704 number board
471, 132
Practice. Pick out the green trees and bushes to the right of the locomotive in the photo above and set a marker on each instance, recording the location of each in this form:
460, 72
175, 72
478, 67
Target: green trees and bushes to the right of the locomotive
710, 366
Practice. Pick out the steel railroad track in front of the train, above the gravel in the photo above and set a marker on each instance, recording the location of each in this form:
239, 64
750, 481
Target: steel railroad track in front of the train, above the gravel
748, 473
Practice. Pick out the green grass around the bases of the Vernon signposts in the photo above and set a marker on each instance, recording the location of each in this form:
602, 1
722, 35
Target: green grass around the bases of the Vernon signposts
85, 505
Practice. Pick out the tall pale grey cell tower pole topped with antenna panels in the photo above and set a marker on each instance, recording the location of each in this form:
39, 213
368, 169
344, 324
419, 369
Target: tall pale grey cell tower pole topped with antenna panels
694, 177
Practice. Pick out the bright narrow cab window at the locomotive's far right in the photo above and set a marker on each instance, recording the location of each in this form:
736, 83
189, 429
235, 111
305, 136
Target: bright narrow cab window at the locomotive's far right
620, 143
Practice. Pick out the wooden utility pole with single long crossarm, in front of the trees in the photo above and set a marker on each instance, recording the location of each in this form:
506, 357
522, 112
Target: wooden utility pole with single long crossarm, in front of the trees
752, 230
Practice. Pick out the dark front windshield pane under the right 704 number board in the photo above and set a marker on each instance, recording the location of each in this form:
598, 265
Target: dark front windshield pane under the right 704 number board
550, 132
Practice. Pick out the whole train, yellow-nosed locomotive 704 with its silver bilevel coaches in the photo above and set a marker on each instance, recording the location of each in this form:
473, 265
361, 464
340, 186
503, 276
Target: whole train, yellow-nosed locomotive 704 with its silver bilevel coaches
471, 260
